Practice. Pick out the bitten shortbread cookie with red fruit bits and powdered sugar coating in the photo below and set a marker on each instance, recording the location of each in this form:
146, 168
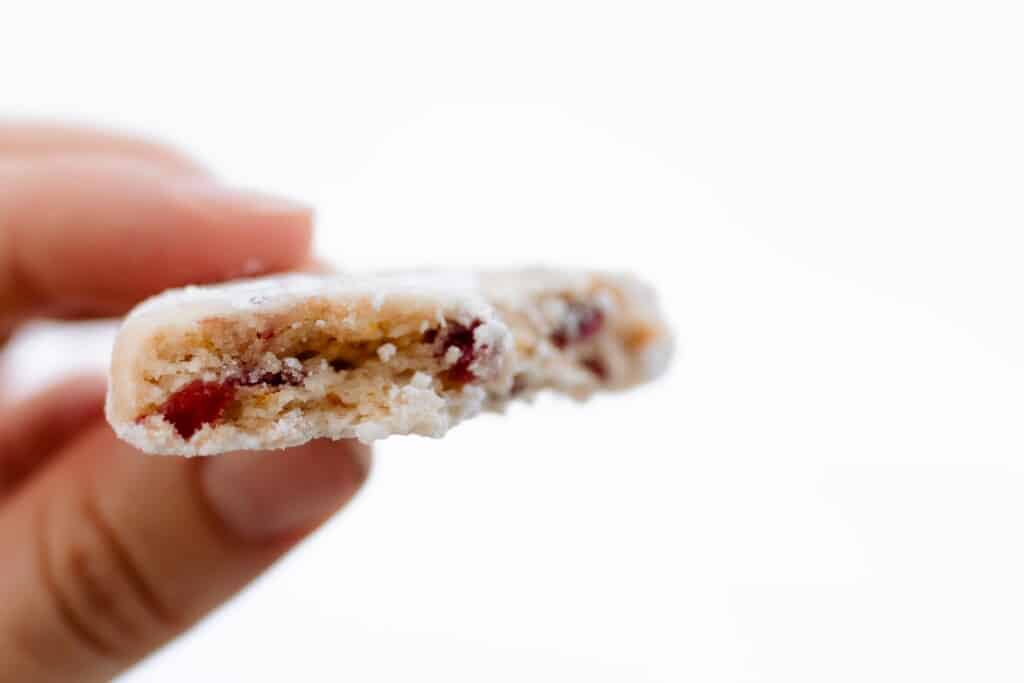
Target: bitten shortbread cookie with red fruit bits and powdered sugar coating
276, 362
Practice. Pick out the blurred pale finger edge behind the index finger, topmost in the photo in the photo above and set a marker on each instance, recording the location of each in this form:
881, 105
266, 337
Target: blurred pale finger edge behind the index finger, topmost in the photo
27, 141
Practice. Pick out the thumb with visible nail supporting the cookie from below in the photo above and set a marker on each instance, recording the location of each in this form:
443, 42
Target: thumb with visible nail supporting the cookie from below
111, 552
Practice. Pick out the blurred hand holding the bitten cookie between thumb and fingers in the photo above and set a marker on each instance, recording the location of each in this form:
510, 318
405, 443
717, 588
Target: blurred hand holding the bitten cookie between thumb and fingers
106, 553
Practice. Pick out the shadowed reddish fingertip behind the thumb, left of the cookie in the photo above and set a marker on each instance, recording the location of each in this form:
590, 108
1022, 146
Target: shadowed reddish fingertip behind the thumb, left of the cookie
32, 431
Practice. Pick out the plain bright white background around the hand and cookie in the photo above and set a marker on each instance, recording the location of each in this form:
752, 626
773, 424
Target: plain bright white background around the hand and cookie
828, 486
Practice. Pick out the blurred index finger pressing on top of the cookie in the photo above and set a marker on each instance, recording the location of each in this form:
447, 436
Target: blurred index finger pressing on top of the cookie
94, 237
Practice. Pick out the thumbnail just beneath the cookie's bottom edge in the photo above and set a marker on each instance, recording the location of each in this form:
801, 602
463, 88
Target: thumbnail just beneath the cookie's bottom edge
271, 495
